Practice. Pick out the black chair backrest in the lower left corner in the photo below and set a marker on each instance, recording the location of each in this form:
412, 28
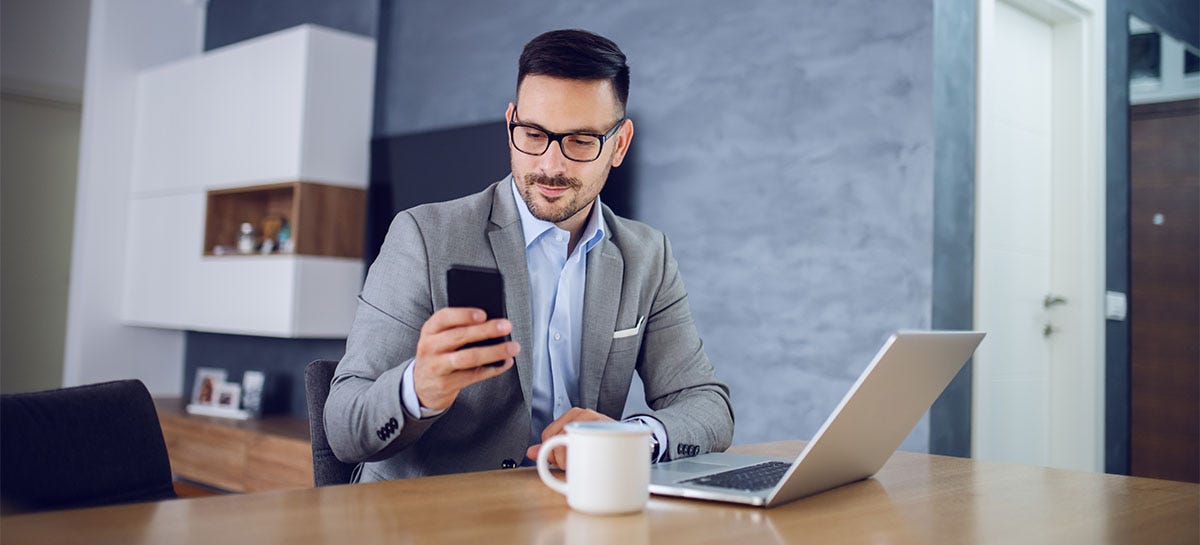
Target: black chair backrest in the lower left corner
97, 445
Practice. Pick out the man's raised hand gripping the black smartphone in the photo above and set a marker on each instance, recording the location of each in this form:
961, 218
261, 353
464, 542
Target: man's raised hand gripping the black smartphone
441, 370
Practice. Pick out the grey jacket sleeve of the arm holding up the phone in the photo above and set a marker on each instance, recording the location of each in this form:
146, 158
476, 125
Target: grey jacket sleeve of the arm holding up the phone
364, 416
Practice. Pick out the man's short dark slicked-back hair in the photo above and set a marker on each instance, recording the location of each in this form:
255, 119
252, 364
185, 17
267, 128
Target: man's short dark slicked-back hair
577, 55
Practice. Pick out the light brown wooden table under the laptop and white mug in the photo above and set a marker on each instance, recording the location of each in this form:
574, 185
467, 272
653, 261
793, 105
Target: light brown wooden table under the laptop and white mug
916, 499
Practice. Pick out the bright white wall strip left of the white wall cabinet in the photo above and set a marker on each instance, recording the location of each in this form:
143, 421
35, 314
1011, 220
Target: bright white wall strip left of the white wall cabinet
125, 37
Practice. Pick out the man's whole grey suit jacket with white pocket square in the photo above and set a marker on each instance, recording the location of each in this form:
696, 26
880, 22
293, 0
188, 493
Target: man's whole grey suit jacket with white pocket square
632, 274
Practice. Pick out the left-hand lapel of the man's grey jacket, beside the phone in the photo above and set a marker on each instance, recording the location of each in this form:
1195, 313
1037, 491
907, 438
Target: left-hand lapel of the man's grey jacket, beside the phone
508, 247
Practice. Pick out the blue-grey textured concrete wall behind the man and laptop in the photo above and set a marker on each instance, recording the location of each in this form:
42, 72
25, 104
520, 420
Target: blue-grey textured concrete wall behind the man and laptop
785, 147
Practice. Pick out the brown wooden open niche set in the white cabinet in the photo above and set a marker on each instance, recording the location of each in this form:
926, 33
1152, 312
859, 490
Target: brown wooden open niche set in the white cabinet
326, 220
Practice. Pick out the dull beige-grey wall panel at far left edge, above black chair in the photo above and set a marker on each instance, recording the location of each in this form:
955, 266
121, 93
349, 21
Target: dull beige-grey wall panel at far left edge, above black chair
39, 149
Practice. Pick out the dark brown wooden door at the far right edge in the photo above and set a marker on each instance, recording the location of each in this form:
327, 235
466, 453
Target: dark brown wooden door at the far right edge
1165, 301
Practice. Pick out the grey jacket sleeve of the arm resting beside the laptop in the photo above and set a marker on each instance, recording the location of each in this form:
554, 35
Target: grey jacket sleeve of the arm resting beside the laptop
681, 385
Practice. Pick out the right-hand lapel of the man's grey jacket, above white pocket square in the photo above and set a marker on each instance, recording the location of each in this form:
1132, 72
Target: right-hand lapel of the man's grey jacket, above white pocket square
602, 301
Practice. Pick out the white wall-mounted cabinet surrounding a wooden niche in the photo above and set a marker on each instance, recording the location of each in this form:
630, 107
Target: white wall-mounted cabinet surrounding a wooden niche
292, 106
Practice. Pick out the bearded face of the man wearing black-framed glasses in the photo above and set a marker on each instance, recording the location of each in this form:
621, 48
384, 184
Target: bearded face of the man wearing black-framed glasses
555, 188
